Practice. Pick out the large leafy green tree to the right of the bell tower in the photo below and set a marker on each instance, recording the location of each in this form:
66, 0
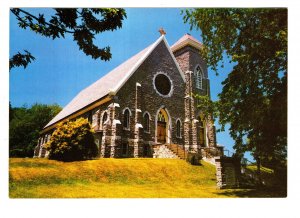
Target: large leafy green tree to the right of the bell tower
254, 95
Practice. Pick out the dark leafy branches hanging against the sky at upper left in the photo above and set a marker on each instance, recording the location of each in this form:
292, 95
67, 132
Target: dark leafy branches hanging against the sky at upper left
82, 24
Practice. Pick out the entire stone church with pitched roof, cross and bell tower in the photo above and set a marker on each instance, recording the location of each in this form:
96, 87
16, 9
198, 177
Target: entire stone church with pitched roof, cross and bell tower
145, 107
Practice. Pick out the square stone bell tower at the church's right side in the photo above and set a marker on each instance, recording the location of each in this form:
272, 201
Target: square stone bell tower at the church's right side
199, 131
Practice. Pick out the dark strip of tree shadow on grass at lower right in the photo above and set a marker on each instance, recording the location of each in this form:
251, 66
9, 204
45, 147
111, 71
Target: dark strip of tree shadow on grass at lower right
253, 193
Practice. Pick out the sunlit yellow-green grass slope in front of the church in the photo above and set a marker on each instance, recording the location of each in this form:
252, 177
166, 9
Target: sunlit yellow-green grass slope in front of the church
117, 178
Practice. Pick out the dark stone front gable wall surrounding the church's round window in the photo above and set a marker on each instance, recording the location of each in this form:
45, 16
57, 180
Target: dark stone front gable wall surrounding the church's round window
148, 99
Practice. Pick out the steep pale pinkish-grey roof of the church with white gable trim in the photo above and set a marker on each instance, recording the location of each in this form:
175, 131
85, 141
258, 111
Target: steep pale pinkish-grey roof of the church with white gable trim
111, 82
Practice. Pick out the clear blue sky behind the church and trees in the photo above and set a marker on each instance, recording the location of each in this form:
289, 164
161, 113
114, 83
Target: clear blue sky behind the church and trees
61, 70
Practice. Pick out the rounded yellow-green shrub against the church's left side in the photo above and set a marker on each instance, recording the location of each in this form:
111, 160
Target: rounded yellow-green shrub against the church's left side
72, 141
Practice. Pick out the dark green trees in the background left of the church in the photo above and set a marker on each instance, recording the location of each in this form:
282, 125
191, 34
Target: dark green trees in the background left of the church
24, 126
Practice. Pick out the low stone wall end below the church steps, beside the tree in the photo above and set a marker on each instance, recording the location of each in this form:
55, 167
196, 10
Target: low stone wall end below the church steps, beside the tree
228, 172
